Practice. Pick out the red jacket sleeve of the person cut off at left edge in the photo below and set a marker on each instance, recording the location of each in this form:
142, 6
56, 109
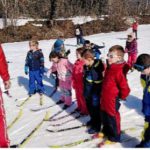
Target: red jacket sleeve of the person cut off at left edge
3, 66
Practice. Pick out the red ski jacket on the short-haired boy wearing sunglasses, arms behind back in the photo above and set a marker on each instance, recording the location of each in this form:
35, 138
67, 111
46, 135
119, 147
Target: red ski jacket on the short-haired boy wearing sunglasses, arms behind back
114, 86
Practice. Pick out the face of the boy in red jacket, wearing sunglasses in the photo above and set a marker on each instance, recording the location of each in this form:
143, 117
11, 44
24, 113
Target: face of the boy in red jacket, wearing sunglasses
113, 57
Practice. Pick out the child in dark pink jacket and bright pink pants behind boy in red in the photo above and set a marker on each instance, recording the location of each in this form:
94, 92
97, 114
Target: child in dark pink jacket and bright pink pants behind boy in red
131, 49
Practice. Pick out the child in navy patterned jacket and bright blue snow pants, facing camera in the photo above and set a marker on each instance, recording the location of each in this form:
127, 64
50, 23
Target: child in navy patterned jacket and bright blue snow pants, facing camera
34, 65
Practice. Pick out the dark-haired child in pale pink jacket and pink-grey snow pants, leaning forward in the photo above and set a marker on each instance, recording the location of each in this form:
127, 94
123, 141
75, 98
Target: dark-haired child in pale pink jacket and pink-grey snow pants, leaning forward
64, 72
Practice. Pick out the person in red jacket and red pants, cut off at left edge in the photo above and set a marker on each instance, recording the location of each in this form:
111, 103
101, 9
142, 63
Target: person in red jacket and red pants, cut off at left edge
4, 141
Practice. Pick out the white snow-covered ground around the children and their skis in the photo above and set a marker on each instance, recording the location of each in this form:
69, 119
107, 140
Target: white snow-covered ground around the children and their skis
131, 116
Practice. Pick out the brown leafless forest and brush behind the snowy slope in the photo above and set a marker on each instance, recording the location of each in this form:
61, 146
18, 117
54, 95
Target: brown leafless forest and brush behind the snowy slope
114, 12
